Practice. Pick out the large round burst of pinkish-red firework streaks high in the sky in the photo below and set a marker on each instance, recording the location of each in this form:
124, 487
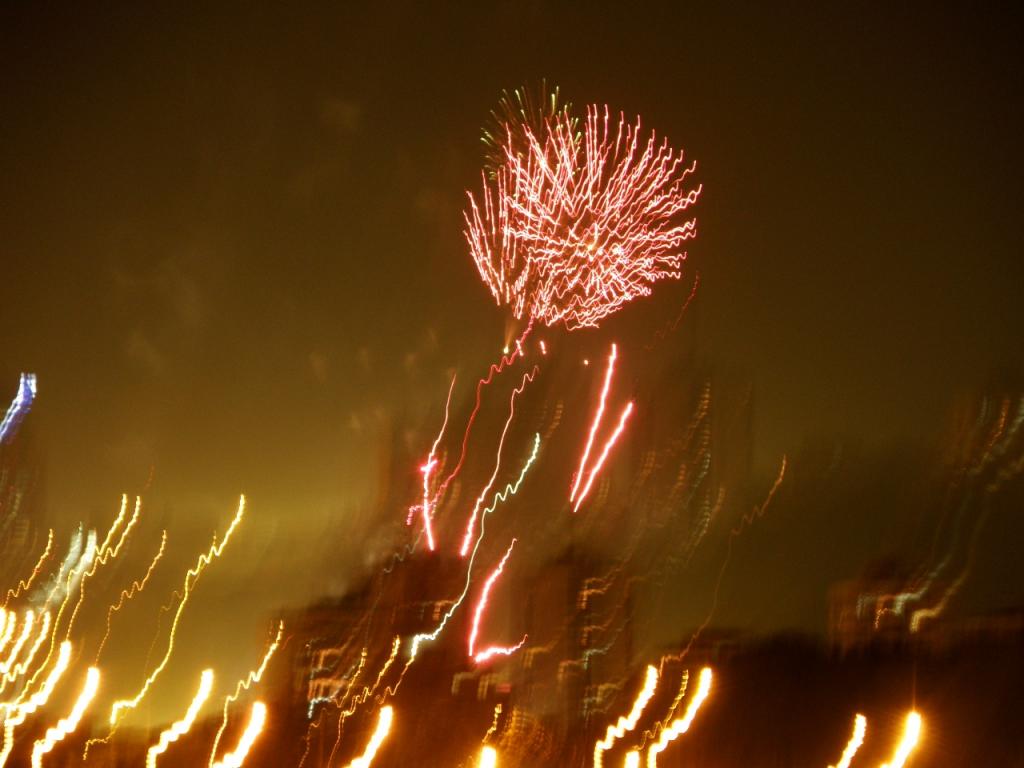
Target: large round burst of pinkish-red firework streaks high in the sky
574, 227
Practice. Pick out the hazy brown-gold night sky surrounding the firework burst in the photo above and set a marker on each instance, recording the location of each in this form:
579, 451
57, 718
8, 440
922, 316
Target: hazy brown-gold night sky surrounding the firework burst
231, 239
